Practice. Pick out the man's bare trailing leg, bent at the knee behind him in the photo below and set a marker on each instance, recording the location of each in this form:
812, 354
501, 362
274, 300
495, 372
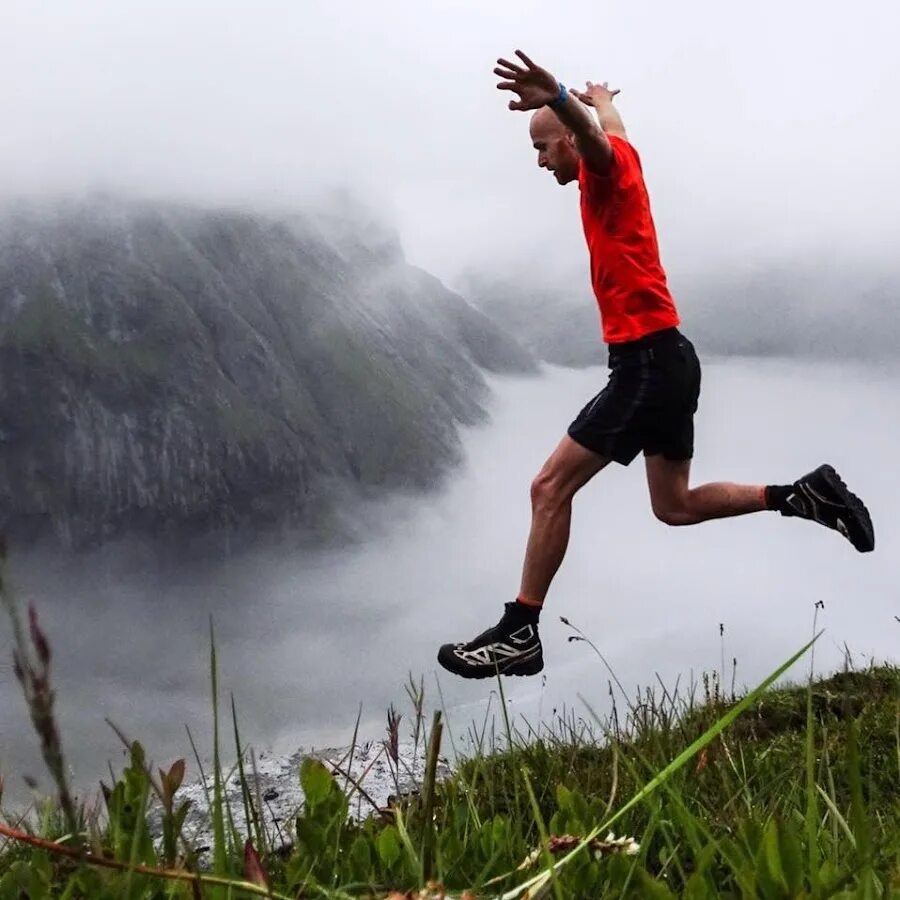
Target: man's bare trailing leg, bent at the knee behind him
676, 503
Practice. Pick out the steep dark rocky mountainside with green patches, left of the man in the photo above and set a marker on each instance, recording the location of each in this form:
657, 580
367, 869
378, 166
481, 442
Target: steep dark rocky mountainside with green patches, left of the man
171, 371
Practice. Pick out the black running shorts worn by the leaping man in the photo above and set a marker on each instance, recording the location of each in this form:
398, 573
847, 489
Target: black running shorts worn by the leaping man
649, 402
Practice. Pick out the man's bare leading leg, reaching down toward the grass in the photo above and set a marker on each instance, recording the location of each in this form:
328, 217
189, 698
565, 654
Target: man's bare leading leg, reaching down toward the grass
568, 469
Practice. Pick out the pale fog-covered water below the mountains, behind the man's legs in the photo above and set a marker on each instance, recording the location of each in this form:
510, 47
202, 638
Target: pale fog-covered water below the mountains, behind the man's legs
303, 640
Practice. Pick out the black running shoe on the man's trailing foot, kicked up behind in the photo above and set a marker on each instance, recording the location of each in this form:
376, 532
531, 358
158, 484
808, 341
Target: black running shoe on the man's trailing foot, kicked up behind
824, 498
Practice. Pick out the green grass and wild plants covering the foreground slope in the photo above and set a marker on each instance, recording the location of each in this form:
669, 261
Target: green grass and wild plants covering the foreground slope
784, 792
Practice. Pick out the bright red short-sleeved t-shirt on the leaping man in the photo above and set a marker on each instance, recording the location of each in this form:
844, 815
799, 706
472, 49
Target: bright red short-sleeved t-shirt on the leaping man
626, 273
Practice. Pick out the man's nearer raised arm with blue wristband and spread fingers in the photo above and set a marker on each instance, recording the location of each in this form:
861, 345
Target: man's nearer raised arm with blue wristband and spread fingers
537, 88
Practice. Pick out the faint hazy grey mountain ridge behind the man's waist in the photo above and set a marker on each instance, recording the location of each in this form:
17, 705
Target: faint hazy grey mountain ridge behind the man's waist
818, 309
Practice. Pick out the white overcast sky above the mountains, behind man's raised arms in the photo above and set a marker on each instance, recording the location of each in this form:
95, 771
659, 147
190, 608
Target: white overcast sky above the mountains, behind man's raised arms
762, 126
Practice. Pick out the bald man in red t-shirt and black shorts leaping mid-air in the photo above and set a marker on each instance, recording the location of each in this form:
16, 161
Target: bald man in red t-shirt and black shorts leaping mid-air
649, 403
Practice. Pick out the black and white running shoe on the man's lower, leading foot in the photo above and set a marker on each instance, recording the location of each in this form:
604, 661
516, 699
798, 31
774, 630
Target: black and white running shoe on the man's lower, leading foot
511, 647
